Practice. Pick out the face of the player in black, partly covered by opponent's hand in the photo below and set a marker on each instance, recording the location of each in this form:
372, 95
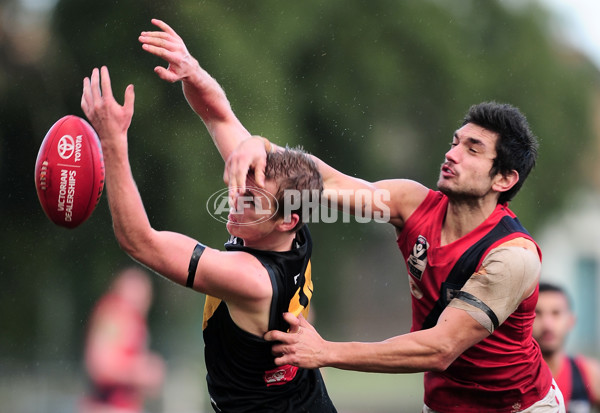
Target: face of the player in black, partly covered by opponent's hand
251, 219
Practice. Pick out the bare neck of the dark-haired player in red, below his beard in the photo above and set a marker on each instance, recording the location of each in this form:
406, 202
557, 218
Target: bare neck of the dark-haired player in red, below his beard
463, 216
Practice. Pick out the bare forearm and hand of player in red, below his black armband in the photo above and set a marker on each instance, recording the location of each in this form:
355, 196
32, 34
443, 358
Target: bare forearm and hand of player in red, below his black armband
433, 349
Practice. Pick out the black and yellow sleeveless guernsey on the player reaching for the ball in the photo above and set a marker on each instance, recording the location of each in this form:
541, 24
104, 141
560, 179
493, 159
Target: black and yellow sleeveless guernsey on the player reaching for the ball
242, 375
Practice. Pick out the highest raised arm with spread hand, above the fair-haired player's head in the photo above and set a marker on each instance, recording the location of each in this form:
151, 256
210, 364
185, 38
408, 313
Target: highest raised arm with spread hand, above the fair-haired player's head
201, 90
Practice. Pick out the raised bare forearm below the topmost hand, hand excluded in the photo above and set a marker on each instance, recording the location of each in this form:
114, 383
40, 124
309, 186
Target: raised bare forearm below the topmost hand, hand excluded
206, 97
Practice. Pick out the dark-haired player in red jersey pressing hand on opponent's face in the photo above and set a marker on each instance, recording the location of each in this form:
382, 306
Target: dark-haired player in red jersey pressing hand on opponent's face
473, 273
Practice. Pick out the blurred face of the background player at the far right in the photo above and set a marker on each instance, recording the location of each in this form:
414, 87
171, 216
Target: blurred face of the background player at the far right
553, 321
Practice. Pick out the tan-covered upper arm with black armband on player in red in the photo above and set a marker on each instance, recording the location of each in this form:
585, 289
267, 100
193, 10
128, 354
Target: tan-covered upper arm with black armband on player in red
494, 292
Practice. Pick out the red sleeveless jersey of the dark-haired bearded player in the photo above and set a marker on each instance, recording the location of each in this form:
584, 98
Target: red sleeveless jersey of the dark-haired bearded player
502, 373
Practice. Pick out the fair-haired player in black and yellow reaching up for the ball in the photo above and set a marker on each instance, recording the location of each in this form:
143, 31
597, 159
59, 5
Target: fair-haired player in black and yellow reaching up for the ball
266, 269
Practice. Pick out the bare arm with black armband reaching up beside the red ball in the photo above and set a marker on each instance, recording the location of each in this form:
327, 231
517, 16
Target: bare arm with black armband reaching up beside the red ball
167, 253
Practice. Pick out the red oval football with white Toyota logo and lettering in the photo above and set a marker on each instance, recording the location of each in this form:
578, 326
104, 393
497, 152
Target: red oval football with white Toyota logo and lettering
69, 171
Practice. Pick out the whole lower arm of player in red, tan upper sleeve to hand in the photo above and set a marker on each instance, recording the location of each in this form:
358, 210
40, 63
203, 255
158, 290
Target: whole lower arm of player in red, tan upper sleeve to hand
508, 275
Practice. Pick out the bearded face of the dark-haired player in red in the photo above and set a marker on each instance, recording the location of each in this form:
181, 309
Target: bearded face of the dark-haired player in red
466, 170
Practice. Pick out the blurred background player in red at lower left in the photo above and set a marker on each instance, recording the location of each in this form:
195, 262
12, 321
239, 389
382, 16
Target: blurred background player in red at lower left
122, 370
